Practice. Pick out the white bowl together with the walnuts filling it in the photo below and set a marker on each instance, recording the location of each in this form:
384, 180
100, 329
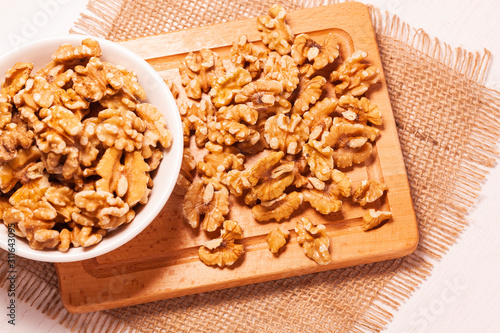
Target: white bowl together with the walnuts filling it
91, 146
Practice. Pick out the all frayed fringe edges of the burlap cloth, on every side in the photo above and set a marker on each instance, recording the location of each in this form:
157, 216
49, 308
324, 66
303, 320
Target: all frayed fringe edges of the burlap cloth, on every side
414, 269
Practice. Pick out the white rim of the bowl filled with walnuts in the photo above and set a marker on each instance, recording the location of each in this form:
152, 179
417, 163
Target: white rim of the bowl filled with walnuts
53, 255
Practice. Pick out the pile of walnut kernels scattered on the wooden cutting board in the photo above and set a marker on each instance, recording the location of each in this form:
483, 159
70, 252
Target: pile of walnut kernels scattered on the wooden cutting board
298, 112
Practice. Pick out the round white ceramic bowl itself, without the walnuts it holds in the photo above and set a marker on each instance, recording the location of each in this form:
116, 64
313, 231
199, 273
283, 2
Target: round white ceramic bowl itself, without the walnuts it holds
39, 53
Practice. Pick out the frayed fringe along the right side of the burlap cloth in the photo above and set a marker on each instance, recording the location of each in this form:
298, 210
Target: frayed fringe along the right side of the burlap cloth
483, 141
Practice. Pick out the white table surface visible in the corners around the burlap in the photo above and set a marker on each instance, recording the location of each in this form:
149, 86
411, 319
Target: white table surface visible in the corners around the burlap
463, 292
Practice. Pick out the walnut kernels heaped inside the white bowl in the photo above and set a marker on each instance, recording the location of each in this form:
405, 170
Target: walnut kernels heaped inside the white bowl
77, 148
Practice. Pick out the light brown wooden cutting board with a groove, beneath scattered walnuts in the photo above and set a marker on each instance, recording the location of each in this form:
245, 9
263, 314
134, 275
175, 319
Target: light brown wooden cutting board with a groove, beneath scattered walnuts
162, 262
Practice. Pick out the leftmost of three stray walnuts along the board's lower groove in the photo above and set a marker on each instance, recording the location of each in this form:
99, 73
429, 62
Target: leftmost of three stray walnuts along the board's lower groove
223, 251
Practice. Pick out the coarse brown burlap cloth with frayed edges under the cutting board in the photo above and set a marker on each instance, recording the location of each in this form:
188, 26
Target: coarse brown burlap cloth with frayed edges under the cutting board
448, 127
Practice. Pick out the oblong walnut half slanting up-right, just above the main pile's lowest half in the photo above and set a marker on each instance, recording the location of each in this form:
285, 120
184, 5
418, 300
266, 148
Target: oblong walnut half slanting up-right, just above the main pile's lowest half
273, 185
